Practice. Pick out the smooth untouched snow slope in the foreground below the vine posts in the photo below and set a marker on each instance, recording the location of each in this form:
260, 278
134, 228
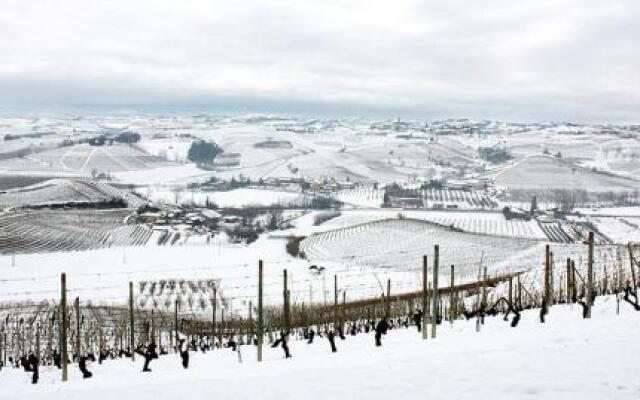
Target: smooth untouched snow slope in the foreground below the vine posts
565, 358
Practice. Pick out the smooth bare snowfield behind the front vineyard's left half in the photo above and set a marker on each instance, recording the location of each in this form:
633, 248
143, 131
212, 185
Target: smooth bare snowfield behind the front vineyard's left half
102, 275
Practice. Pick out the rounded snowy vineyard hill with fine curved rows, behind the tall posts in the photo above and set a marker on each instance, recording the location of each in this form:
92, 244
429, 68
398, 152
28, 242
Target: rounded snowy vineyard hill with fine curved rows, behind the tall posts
407, 240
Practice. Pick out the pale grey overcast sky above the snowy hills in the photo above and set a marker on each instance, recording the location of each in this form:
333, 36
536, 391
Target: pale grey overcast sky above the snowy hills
535, 60
